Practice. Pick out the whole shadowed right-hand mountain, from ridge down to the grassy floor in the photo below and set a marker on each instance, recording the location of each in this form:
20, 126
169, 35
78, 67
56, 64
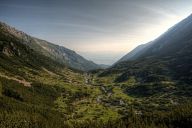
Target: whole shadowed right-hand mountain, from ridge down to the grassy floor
167, 57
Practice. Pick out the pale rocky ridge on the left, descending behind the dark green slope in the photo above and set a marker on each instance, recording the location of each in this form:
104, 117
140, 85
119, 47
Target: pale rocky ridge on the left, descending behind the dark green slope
57, 53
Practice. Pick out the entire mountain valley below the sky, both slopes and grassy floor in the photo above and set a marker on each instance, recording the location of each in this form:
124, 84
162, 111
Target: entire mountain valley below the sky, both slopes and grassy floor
43, 85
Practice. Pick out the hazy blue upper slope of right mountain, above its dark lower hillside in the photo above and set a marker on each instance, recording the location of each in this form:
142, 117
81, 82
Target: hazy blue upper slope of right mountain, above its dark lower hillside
174, 41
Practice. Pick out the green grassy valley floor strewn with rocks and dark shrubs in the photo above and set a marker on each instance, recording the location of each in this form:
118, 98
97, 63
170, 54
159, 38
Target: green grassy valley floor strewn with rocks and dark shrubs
76, 99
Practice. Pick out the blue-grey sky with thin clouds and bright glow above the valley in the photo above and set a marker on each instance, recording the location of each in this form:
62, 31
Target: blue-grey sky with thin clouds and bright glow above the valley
99, 30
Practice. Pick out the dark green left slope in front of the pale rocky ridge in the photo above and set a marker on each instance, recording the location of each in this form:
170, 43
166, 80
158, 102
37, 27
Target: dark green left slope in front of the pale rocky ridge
15, 54
